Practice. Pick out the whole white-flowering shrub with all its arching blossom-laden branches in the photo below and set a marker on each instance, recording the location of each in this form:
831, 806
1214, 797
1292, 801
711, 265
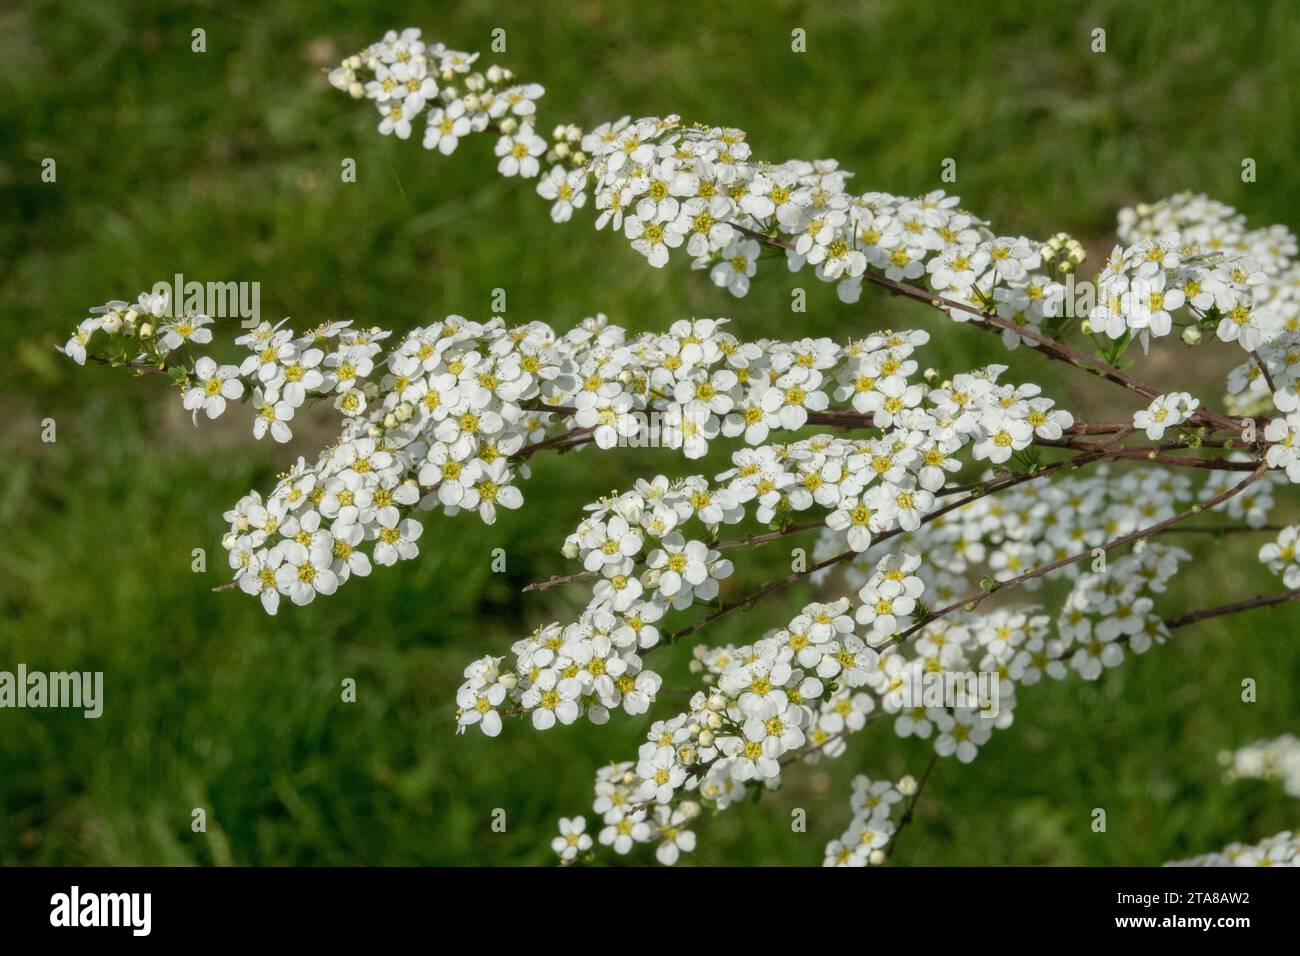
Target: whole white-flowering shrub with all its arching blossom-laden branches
448, 417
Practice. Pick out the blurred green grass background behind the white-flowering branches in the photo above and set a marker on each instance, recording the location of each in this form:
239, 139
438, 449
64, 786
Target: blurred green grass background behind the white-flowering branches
224, 166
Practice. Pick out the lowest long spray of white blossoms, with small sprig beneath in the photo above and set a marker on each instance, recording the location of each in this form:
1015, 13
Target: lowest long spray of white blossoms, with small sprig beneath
798, 694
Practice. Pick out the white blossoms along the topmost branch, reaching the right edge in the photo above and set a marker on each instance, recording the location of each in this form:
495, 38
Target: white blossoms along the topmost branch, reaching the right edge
669, 185
